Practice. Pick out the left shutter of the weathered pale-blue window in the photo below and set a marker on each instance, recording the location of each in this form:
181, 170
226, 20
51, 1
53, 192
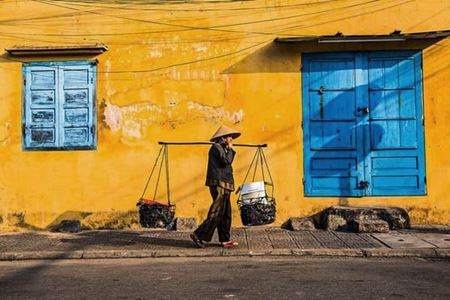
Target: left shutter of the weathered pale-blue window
40, 107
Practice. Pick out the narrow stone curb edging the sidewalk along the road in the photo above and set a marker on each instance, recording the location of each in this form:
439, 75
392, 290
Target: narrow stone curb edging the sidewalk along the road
442, 253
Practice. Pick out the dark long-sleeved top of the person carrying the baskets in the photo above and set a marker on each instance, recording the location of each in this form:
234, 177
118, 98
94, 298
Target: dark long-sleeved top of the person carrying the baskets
220, 171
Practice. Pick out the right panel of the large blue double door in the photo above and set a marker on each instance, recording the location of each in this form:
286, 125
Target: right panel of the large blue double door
397, 165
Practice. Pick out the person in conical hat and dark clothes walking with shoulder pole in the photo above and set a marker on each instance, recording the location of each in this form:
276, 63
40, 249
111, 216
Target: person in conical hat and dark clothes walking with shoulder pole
219, 179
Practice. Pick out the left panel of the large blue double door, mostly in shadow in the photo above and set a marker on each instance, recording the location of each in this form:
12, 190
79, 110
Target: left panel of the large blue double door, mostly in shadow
331, 132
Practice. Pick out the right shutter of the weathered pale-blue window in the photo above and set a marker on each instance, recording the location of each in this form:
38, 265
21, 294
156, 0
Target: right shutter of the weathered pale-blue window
77, 114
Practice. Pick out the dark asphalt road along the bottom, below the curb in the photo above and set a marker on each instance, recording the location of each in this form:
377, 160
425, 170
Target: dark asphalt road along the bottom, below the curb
224, 278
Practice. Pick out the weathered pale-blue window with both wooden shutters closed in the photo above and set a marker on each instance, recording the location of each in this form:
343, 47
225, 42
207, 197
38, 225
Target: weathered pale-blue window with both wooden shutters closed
59, 105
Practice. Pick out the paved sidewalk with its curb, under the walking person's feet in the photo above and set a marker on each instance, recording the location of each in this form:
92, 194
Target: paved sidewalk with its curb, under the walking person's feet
420, 241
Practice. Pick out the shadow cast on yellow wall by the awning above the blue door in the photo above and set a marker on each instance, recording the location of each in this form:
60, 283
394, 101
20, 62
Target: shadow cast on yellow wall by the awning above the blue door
278, 57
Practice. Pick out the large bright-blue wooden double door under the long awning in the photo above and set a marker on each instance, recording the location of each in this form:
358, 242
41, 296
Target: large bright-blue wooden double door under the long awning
362, 124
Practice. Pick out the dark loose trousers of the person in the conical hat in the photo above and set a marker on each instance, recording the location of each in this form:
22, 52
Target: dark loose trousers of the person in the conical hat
219, 216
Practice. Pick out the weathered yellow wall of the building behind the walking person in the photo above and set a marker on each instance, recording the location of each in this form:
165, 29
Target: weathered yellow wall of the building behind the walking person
175, 72
